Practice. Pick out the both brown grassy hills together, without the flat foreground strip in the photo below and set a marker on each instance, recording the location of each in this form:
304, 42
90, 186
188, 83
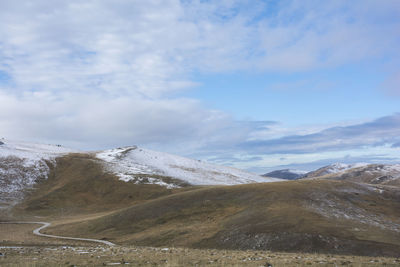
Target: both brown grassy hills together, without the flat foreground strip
325, 216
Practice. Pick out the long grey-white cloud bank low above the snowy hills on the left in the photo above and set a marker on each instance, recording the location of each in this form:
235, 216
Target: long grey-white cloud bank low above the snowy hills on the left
95, 122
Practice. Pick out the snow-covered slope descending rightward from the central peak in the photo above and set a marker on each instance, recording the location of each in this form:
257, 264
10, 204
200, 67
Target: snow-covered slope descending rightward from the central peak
131, 162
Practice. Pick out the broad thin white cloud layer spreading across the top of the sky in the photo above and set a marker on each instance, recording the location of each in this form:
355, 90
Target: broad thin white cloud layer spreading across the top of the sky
149, 48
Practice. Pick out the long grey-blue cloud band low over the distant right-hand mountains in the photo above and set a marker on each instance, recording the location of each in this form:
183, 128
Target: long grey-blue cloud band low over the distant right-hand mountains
385, 130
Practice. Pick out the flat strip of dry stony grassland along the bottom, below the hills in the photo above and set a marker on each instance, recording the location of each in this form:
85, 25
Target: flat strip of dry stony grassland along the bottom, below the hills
19, 247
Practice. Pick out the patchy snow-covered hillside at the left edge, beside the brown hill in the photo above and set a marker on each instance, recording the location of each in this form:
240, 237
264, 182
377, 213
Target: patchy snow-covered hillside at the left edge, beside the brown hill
21, 165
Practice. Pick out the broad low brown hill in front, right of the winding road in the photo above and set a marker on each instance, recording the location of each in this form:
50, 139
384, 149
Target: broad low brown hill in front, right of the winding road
304, 216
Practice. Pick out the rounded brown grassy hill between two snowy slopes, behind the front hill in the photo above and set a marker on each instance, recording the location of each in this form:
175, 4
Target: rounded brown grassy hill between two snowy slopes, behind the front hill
78, 184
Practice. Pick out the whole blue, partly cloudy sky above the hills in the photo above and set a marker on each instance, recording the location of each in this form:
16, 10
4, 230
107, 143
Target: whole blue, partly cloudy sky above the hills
257, 85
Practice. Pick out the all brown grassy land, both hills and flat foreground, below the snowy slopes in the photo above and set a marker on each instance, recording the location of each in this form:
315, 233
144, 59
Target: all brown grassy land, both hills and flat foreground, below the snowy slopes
298, 223
